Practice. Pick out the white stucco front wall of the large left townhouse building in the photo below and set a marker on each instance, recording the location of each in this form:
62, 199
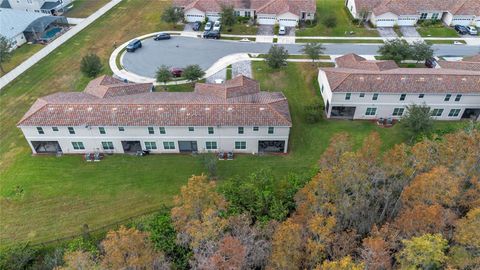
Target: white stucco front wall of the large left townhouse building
92, 139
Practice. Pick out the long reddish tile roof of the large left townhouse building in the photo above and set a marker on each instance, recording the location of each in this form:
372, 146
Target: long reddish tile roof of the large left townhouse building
236, 107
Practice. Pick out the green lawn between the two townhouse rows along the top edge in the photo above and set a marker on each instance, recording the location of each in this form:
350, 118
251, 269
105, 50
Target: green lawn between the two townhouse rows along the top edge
335, 8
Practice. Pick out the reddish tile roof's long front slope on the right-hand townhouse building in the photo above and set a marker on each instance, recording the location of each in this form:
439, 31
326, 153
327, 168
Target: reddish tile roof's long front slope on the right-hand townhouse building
403, 80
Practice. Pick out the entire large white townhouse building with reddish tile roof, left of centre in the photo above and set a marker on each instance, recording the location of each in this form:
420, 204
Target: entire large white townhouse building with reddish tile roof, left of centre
112, 116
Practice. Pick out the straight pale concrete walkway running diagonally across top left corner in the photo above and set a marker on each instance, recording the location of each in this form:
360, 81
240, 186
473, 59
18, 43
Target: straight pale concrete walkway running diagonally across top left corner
12, 75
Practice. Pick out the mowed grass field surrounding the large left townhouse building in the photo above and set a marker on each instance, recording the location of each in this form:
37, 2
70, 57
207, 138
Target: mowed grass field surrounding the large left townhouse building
44, 197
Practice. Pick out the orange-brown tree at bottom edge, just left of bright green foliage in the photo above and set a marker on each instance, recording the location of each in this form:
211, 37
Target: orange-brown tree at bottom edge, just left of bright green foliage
129, 248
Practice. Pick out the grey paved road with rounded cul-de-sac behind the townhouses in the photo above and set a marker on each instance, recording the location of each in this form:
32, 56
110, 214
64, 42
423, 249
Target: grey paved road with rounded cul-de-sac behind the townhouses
205, 53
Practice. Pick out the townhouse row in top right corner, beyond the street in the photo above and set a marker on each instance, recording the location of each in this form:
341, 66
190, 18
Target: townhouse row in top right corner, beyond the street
389, 13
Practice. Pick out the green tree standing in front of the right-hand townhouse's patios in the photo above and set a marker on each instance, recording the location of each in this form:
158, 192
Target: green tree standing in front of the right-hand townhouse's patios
417, 121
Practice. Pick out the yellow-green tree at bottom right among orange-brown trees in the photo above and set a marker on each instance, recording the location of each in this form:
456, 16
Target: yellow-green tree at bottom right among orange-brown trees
424, 252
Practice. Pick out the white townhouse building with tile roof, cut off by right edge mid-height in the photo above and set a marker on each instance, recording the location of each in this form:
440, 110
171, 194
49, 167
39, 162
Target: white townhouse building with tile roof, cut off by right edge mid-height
361, 89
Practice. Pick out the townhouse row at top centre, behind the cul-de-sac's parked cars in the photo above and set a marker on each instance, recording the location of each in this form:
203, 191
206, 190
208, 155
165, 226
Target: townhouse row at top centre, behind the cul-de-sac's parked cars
267, 12
